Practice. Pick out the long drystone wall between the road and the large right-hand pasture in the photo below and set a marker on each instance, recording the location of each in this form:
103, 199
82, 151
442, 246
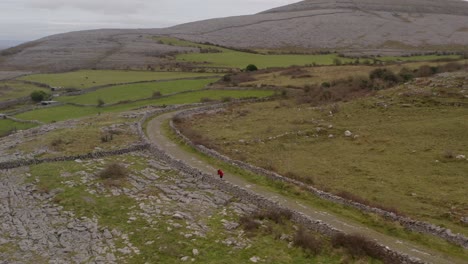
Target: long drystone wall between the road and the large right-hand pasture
407, 222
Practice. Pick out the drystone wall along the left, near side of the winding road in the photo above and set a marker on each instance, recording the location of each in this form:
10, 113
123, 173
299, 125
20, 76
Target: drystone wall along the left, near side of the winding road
251, 197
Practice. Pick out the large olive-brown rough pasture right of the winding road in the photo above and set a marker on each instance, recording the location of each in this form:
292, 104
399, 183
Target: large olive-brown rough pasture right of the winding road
403, 156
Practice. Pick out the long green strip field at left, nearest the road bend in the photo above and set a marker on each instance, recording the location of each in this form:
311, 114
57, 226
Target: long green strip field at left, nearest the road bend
60, 113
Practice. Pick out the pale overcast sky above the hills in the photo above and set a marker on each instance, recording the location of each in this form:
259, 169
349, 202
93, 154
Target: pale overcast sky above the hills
33, 19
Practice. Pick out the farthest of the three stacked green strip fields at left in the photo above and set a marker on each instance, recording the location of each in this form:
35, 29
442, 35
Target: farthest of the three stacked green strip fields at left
90, 78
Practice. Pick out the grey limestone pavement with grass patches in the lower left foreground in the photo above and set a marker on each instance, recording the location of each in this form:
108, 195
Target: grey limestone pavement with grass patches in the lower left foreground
35, 227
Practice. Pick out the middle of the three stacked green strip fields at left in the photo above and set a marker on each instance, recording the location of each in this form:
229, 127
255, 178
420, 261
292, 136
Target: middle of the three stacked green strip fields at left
119, 93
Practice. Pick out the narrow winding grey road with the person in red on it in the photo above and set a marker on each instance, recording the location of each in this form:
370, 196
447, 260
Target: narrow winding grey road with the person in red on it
157, 136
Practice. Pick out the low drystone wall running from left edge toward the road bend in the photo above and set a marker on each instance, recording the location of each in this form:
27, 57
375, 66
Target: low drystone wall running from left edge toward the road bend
92, 155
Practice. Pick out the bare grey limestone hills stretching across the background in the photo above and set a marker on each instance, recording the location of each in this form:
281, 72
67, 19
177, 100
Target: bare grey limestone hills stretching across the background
358, 26
